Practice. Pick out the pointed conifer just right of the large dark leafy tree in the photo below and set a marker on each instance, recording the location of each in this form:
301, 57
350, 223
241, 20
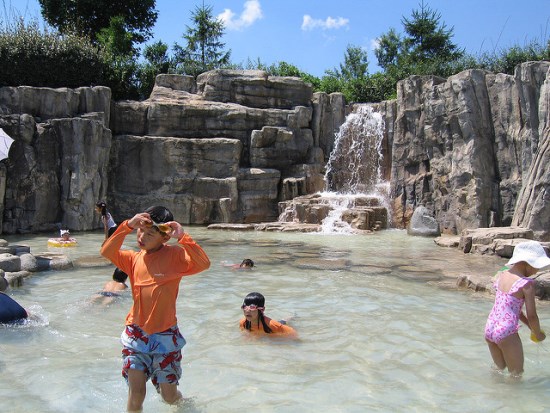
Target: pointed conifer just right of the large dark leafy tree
204, 49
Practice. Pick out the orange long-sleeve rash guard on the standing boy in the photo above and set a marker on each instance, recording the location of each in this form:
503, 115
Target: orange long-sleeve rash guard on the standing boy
155, 277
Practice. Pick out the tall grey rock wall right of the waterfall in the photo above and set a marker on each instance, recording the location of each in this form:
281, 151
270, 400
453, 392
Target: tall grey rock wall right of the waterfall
473, 149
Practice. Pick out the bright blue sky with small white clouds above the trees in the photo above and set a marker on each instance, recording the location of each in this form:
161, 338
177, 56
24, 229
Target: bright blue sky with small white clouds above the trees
313, 34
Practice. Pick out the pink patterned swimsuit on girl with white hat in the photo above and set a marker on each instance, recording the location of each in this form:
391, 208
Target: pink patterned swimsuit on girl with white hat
503, 320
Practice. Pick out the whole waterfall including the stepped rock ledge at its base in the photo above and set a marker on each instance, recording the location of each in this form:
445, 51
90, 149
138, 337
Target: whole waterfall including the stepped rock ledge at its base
355, 197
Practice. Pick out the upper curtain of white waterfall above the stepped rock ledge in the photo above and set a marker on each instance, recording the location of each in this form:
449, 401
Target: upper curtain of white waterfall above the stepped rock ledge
354, 165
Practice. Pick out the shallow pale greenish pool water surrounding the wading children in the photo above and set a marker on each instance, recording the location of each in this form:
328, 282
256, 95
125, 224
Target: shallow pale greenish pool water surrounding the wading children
376, 334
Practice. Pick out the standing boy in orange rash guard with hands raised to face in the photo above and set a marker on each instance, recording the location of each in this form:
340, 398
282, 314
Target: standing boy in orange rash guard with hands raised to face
152, 341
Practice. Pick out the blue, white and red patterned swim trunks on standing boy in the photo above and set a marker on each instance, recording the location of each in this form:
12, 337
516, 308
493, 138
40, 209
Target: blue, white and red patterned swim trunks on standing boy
157, 355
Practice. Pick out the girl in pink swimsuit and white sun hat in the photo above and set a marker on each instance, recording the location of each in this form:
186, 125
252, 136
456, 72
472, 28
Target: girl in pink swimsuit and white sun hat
513, 289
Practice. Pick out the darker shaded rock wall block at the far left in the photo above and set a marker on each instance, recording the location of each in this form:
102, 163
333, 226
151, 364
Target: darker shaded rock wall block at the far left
57, 166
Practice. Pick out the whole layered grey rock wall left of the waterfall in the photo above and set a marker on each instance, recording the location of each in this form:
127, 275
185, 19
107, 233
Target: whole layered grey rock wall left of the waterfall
224, 148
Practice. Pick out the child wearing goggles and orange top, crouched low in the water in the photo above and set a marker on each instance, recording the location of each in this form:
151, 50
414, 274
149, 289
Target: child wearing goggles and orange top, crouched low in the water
256, 322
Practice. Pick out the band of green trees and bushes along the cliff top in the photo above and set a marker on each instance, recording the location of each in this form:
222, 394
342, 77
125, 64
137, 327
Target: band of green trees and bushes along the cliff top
106, 54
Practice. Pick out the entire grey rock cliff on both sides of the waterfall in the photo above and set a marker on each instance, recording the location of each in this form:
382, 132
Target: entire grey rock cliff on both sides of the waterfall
229, 146
